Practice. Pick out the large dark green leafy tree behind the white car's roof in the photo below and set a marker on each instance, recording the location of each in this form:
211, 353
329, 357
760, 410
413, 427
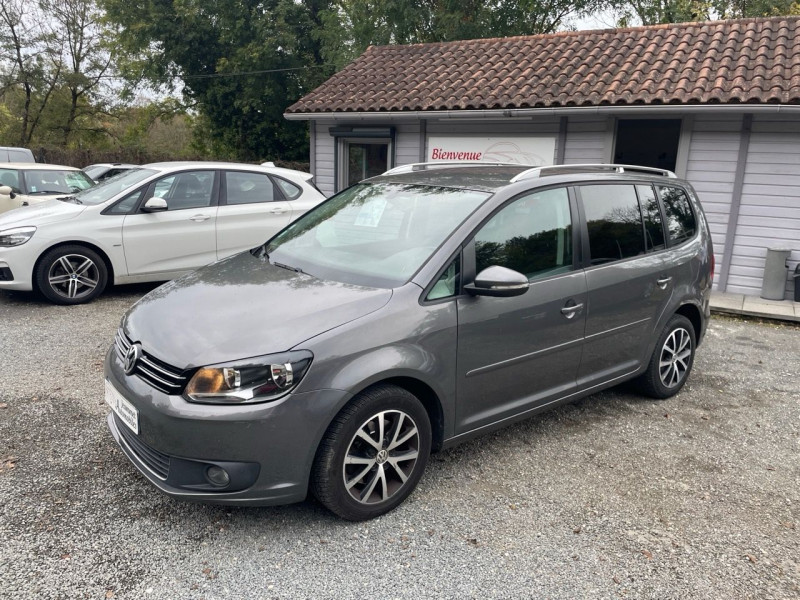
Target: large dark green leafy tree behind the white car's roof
241, 63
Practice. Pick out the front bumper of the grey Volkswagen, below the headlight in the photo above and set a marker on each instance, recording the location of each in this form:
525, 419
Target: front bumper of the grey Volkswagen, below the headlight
269, 448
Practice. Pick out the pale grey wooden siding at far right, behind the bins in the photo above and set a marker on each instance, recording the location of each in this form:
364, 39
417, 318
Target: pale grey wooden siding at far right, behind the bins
770, 210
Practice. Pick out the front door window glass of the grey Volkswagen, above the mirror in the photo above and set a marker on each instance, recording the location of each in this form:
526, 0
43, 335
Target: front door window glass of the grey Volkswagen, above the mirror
532, 235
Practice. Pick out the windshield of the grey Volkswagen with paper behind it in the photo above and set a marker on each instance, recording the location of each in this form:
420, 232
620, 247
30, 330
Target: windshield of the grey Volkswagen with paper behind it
373, 234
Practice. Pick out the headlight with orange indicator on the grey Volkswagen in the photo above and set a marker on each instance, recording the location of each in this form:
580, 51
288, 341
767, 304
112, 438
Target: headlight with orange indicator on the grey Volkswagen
248, 381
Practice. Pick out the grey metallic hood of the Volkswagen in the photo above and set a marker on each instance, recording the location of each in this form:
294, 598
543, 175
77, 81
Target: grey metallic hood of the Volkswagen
242, 307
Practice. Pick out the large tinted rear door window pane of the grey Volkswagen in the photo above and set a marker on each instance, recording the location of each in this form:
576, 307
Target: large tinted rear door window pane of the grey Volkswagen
614, 222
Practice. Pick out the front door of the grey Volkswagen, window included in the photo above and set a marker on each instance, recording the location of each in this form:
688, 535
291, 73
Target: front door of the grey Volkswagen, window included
517, 353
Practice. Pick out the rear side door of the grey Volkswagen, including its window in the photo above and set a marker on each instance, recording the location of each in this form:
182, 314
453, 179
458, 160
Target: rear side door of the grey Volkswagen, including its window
628, 276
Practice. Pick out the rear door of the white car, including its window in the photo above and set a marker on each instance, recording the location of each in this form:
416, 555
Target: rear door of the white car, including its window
252, 209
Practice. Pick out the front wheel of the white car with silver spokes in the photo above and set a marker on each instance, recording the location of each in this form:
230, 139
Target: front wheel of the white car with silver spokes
71, 275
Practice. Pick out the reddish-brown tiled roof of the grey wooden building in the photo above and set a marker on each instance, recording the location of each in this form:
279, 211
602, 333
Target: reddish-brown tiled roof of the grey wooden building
720, 62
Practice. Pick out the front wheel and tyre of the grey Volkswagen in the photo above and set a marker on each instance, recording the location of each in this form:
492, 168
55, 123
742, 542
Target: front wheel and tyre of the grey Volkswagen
373, 454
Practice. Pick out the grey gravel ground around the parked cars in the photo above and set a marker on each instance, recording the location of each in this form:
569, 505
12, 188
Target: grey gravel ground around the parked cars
615, 496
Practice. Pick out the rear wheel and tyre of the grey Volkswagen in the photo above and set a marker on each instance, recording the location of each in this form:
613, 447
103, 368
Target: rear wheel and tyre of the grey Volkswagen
672, 360
